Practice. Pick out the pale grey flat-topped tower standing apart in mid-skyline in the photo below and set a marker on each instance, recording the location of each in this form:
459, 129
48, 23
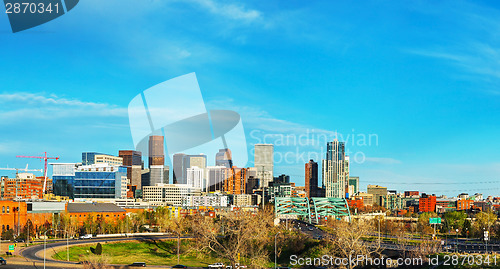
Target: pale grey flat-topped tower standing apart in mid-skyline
264, 163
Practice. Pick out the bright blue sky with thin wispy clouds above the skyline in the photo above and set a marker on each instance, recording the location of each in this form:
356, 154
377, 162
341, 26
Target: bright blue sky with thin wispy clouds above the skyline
422, 76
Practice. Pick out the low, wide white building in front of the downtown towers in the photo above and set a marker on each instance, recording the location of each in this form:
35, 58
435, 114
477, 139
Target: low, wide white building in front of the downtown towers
171, 194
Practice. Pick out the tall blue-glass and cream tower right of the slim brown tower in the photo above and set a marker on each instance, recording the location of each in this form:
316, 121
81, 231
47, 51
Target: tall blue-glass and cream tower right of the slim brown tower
334, 177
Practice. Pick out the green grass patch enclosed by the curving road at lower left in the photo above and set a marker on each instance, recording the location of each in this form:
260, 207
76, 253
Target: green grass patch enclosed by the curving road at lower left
148, 251
